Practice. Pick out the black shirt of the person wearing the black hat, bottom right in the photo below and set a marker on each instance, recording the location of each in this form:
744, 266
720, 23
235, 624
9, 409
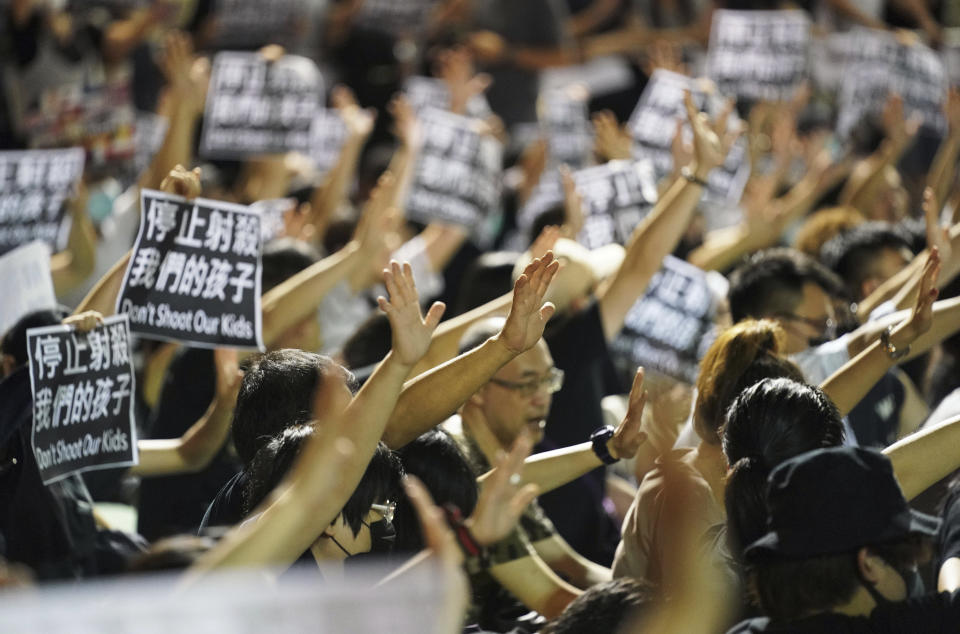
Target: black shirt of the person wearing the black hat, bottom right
930, 614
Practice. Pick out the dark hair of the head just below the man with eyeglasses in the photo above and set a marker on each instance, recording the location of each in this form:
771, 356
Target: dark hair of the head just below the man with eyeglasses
434, 458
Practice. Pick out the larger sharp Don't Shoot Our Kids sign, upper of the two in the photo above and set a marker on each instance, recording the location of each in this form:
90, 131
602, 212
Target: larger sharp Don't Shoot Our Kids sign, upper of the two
194, 275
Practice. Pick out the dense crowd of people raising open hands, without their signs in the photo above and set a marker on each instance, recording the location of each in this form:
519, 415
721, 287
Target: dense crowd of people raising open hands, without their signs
427, 397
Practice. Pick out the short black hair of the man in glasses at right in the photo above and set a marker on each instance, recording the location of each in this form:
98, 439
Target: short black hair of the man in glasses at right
772, 281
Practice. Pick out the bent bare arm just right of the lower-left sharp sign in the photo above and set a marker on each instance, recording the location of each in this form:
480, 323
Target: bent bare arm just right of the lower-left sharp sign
196, 448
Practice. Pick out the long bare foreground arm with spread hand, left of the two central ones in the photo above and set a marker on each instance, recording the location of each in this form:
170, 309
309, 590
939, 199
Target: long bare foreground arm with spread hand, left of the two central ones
333, 461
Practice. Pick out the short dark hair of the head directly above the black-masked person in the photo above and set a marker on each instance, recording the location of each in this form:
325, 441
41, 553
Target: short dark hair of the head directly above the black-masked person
276, 392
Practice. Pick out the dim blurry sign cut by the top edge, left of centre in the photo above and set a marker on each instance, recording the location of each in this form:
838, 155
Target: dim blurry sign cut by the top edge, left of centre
250, 24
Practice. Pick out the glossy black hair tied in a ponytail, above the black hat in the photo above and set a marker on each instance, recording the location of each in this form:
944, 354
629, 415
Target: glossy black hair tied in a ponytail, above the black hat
771, 421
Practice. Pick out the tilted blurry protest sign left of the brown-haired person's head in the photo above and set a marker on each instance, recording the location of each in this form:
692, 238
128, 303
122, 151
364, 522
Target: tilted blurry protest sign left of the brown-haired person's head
671, 327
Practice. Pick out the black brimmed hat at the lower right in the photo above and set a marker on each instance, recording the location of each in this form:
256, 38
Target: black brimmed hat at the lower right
831, 501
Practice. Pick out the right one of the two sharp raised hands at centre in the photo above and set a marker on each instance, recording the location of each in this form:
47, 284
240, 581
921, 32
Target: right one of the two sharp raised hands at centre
528, 314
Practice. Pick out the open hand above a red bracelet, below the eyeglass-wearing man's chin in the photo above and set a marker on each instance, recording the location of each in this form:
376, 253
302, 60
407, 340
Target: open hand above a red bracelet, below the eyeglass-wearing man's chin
501, 504
